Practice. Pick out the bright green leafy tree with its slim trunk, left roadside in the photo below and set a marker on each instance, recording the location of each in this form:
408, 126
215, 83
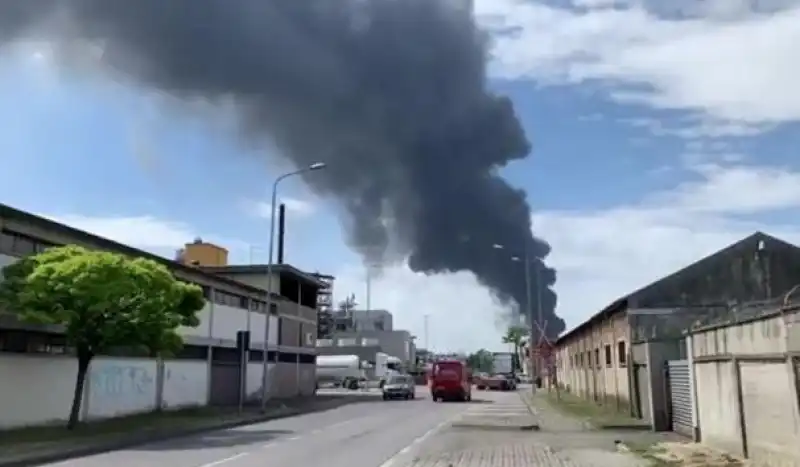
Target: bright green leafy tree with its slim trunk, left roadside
103, 300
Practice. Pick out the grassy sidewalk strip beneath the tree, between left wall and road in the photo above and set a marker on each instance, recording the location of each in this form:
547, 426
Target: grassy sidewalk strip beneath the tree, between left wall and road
38, 445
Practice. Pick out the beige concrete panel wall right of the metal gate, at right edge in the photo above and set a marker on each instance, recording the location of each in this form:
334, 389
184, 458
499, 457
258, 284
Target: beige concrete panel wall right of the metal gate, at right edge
746, 389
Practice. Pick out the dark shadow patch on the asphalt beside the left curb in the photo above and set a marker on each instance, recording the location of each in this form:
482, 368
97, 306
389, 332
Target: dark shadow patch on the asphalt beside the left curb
216, 439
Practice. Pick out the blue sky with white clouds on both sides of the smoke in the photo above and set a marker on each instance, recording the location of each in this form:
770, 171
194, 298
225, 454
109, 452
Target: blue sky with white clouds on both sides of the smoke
652, 146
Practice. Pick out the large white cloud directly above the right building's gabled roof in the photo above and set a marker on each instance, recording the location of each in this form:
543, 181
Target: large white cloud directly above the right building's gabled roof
603, 255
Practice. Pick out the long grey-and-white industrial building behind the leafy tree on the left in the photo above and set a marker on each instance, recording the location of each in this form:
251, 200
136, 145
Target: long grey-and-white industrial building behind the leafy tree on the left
236, 301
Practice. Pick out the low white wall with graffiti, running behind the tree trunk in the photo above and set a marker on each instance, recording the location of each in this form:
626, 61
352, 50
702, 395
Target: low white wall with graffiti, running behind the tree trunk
41, 388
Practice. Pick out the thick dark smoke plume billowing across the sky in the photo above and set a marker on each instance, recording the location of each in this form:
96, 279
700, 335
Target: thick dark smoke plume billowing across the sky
391, 94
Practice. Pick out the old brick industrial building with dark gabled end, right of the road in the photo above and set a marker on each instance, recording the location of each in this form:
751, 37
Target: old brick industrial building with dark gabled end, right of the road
620, 355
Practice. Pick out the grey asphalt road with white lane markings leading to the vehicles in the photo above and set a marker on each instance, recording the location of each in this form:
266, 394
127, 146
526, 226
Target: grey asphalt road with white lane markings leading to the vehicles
363, 434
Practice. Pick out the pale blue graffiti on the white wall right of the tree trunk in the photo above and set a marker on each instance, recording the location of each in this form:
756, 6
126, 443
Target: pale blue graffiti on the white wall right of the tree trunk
124, 380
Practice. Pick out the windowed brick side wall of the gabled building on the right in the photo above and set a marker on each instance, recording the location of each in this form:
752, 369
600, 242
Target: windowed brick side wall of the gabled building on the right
583, 368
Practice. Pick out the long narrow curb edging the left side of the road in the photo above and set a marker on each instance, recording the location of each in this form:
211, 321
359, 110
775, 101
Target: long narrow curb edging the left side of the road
149, 437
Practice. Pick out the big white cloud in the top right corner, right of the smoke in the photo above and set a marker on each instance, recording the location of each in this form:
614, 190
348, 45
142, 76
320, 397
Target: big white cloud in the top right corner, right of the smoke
726, 62
